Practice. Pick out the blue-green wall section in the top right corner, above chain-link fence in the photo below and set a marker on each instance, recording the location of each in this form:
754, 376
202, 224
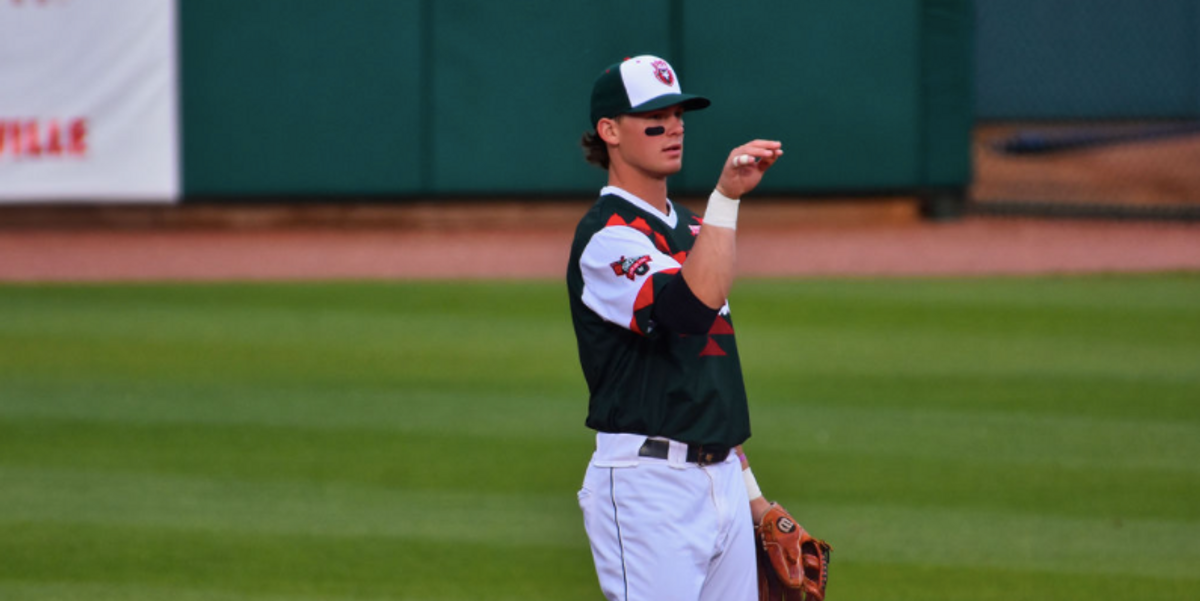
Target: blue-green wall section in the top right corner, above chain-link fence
1089, 59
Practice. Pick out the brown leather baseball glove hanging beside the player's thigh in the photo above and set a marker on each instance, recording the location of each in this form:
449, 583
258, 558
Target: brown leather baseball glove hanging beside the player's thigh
793, 566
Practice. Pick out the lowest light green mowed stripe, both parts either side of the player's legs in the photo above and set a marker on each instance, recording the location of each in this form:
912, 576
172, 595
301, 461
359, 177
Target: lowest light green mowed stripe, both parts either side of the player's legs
885, 531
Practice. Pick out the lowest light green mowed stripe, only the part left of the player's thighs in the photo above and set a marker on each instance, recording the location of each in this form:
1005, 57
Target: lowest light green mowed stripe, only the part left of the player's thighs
325, 509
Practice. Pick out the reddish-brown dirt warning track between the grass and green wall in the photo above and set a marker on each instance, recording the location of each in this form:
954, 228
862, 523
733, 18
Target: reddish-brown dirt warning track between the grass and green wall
532, 241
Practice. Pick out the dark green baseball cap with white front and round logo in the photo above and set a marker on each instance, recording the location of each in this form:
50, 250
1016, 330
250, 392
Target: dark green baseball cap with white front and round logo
638, 86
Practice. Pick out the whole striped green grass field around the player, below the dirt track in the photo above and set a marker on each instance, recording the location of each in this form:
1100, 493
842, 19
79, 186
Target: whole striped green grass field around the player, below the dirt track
955, 440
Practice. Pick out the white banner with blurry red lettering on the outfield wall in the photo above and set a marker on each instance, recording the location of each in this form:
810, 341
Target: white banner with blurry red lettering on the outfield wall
88, 101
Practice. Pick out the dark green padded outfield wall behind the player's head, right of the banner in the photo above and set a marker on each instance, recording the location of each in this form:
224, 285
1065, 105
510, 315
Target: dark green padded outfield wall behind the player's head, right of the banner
471, 98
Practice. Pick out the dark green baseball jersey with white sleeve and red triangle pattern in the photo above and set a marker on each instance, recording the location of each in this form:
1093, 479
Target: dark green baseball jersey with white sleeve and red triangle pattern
644, 380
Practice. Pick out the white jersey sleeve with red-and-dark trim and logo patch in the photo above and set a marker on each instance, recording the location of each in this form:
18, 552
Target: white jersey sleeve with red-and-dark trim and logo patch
622, 272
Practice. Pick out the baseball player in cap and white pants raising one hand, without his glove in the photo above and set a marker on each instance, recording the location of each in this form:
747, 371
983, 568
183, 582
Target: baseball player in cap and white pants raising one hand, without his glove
665, 500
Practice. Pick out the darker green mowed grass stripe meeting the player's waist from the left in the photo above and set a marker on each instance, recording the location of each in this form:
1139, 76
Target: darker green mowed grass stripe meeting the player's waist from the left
425, 461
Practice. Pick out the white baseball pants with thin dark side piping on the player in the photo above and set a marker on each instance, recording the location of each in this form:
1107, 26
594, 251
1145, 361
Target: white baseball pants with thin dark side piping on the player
667, 530
